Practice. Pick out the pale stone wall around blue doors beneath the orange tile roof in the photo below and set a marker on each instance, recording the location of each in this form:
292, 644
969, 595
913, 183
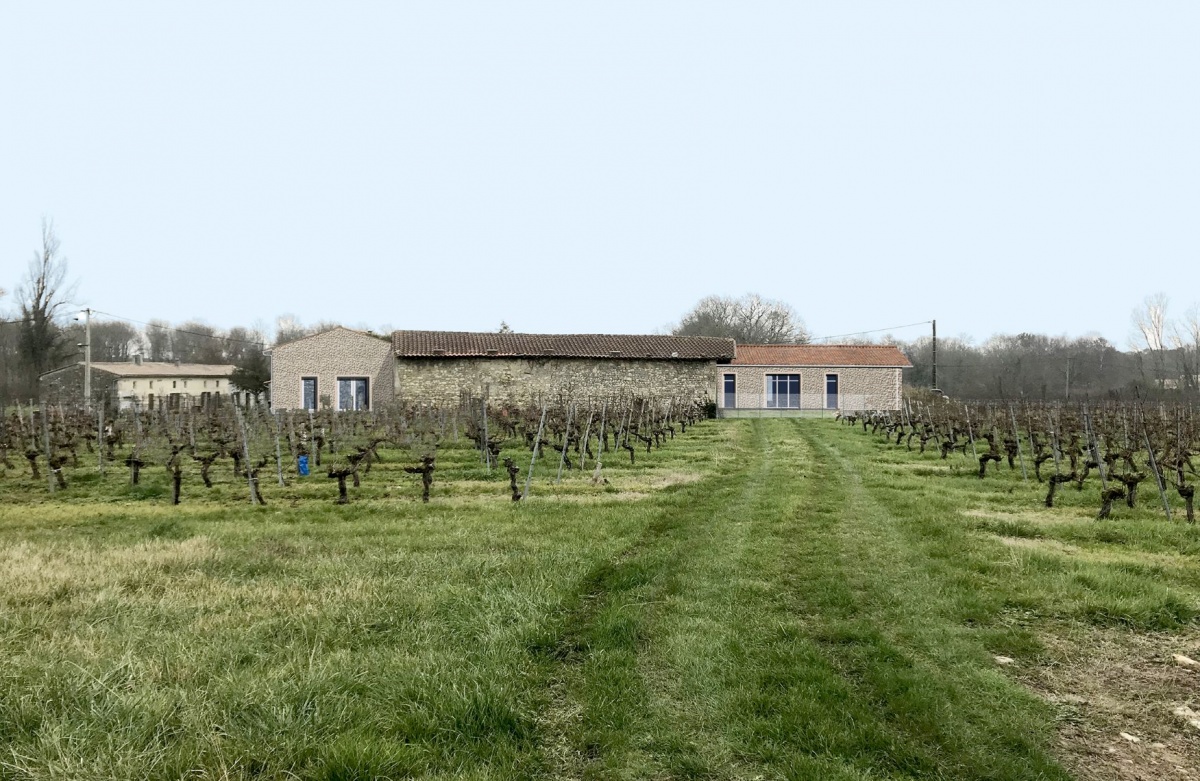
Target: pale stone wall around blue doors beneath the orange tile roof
862, 388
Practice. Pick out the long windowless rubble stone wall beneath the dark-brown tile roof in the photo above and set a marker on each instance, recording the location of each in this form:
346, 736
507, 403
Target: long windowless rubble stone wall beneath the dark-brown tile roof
448, 380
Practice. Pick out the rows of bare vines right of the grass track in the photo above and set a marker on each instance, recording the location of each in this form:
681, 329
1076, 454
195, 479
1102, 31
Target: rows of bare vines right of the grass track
1111, 450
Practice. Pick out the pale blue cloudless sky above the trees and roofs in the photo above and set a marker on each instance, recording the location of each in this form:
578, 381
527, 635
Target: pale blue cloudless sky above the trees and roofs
601, 167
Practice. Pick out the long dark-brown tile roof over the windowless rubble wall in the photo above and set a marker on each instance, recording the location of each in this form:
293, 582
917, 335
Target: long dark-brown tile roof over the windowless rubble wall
472, 345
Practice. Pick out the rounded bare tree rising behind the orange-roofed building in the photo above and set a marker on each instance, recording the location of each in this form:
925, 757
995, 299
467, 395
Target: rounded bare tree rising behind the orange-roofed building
751, 320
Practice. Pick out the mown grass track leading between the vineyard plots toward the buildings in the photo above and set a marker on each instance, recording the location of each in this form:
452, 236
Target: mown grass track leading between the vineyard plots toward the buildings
784, 620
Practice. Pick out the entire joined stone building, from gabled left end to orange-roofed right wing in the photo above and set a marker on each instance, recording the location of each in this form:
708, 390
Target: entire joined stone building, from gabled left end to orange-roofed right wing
356, 370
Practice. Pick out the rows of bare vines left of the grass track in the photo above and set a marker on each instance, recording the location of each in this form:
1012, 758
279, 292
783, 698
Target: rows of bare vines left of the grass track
229, 453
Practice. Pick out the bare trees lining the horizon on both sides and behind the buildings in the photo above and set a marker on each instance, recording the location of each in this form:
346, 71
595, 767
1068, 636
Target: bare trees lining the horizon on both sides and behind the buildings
38, 335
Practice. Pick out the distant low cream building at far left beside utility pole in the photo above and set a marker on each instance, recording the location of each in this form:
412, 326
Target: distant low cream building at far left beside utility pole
146, 385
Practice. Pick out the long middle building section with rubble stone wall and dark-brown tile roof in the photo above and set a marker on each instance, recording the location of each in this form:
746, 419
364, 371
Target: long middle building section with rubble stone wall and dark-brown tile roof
445, 367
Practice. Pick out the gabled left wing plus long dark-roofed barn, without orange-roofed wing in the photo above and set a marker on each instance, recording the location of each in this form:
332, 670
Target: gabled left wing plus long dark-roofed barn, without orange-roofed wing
357, 370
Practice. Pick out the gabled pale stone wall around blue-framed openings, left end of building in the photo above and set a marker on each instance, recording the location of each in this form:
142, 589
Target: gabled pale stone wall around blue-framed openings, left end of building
328, 357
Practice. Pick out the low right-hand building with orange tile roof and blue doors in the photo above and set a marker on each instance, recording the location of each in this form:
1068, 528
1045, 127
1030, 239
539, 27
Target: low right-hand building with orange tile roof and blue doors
777, 379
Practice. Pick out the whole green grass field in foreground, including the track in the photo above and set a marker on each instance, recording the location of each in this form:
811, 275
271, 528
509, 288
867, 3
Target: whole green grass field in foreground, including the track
761, 599
